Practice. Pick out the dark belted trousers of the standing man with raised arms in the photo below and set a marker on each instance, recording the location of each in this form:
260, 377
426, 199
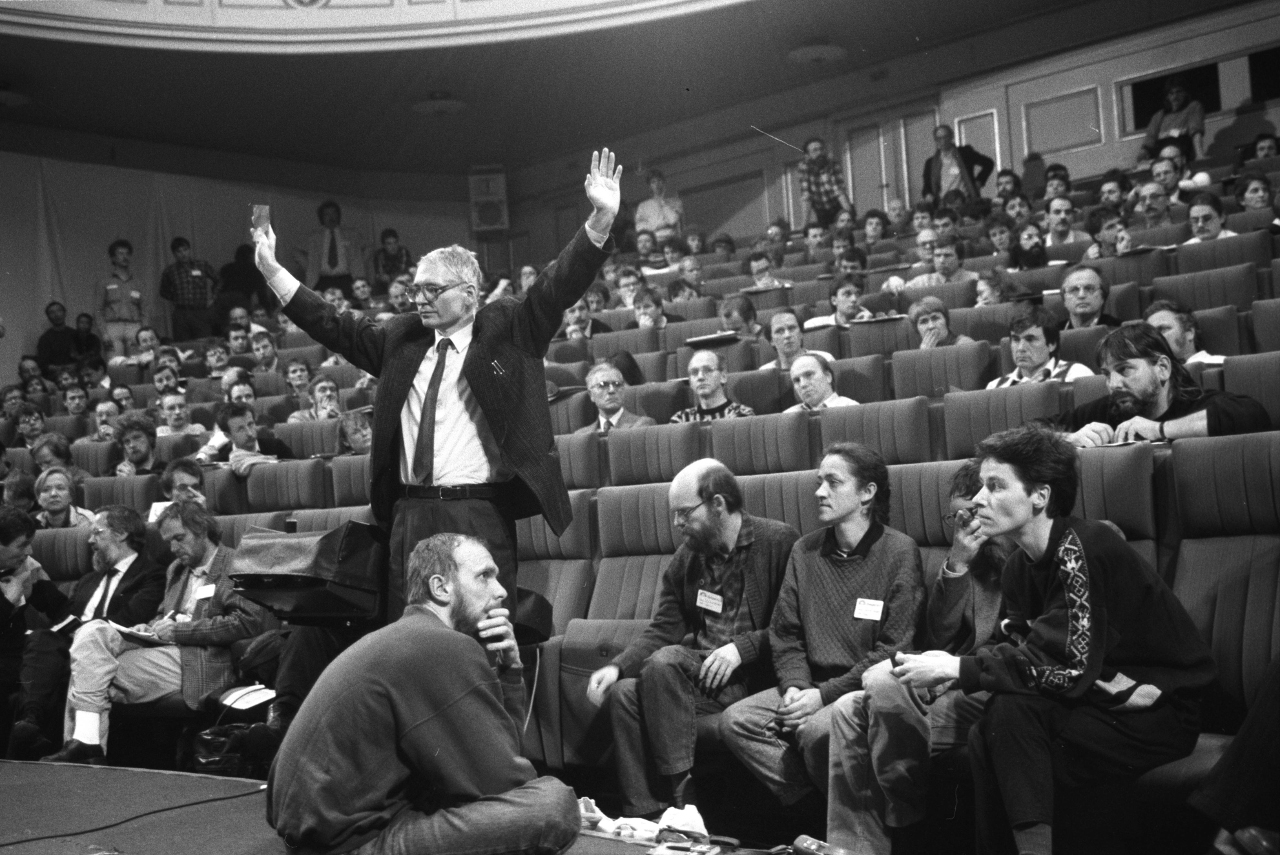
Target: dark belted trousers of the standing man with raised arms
415, 520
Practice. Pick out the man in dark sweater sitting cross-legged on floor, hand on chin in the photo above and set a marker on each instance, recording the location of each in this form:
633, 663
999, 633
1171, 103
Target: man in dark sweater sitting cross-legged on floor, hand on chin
410, 742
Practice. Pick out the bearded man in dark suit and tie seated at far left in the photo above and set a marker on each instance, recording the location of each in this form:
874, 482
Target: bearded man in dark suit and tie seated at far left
125, 587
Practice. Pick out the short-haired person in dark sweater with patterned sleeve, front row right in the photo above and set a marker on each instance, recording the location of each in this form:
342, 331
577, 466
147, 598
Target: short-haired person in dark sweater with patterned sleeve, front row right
1098, 673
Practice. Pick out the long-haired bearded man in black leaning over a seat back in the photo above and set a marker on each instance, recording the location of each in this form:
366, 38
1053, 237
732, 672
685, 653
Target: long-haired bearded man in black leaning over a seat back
1153, 397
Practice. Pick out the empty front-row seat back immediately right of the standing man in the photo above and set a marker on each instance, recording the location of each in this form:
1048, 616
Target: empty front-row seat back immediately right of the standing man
560, 568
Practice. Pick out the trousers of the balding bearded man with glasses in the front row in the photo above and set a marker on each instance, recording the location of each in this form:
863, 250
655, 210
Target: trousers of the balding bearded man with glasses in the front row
655, 721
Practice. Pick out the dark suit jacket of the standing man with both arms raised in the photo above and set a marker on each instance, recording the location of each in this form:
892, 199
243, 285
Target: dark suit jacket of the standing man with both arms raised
504, 369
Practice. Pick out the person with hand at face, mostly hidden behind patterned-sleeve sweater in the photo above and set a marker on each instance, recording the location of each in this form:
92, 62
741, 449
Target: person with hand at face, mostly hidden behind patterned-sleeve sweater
884, 735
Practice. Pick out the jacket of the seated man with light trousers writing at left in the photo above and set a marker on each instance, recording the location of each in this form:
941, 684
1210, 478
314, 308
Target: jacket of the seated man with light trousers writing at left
218, 623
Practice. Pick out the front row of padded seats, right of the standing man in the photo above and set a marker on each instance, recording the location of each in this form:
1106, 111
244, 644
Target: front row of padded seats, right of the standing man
1205, 511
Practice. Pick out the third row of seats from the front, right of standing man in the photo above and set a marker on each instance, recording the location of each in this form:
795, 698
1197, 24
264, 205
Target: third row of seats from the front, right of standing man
934, 374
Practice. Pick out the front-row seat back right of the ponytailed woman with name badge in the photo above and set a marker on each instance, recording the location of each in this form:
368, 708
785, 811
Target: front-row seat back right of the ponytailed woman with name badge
918, 500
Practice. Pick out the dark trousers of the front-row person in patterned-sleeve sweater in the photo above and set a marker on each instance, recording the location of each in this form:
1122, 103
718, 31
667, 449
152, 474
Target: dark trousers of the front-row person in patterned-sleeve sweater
1026, 747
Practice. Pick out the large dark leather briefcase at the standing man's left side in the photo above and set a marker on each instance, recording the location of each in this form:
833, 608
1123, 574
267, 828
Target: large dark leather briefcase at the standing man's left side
319, 578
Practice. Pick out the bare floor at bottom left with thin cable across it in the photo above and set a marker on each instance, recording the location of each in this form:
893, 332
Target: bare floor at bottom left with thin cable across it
66, 810
